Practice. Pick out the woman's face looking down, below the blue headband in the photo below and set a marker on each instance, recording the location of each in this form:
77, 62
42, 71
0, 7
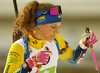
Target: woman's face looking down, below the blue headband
48, 31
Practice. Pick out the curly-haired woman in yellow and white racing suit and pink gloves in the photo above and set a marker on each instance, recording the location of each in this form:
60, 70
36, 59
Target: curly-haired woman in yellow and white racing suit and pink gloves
38, 50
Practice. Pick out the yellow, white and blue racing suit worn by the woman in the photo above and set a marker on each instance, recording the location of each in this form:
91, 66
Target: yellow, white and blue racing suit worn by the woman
25, 48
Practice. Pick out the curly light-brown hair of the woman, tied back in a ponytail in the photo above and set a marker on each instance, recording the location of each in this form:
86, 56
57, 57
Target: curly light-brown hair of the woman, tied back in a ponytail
26, 20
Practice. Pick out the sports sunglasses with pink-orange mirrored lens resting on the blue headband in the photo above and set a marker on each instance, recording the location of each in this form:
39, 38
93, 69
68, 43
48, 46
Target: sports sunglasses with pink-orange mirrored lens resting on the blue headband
52, 11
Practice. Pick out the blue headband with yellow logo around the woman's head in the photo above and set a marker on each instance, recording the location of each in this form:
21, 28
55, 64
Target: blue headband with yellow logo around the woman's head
47, 18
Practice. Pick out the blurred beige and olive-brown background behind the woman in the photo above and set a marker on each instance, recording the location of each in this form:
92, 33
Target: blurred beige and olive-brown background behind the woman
77, 14
